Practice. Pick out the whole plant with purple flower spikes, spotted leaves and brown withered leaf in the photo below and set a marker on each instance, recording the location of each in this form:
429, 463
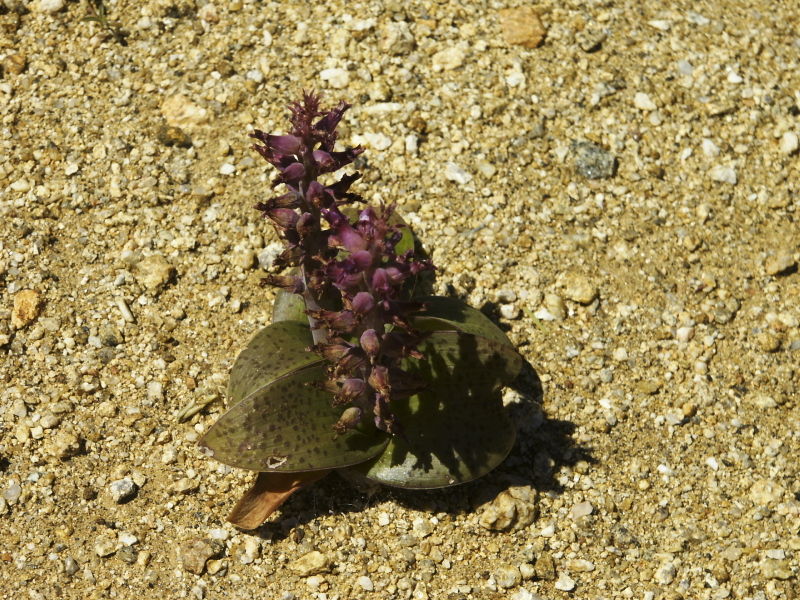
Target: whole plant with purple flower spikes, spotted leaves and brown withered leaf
356, 372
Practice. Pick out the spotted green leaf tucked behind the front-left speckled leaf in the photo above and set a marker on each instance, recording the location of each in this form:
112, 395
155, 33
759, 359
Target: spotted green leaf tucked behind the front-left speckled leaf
274, 351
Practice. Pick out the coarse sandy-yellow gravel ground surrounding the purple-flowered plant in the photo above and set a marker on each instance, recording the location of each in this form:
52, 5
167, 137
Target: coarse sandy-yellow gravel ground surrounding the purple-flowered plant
615, 182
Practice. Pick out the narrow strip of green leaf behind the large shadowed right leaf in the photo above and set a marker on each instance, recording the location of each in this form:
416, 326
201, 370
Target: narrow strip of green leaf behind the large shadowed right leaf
452, 314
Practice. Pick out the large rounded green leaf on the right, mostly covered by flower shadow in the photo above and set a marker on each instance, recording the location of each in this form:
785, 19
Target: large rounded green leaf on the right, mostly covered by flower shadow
457, 429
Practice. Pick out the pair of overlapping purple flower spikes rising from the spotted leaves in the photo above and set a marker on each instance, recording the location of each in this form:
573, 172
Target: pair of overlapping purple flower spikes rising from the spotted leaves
348, 272
